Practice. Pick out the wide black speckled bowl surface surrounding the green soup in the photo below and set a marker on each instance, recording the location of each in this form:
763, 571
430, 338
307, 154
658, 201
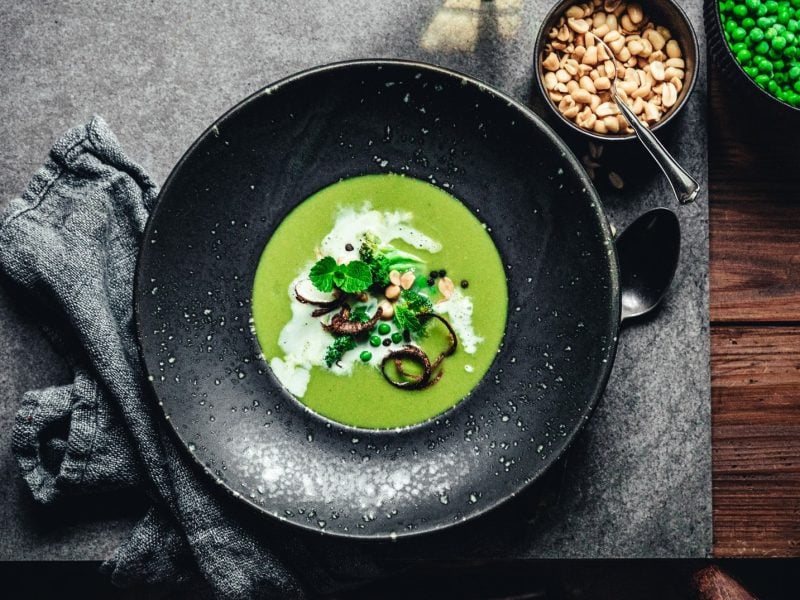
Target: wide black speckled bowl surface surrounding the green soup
238, 181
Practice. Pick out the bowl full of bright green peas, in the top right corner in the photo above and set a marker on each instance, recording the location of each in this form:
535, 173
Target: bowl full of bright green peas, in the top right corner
757, 43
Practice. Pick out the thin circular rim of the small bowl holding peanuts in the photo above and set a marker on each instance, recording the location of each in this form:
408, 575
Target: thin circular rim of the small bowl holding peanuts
538, 48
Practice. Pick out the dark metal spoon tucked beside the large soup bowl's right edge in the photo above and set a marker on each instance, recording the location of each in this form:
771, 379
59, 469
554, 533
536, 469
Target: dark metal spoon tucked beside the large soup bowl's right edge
648, 252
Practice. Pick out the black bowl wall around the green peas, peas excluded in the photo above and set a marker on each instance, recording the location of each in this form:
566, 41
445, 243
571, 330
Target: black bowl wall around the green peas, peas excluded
731, 70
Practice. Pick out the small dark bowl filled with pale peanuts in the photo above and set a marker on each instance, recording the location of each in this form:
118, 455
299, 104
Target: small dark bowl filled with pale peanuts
655, 62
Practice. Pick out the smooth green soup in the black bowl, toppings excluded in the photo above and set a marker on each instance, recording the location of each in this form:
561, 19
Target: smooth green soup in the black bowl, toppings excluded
364, 398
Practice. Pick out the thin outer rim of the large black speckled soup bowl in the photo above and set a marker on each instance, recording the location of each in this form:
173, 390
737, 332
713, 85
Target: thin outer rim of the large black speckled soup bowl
600, 384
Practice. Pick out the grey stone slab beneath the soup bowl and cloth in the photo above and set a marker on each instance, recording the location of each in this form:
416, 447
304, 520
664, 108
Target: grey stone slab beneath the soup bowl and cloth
637, 482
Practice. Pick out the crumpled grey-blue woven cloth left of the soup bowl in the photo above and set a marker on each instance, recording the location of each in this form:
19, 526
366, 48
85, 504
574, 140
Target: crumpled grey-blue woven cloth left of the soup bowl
69, 246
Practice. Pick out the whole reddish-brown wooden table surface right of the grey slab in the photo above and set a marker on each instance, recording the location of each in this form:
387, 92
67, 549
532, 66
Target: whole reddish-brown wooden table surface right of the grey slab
754, 189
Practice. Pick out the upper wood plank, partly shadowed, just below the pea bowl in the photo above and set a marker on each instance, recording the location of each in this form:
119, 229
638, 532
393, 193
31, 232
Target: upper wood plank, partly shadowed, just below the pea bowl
754, 187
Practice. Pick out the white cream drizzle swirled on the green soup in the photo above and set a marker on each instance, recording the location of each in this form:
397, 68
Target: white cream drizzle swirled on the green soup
303, 340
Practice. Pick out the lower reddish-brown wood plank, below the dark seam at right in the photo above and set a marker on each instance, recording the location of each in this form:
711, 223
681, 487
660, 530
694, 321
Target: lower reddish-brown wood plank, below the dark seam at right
756, 440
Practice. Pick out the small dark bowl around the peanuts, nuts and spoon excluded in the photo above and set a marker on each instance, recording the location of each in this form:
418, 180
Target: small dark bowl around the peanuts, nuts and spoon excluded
663, 12
